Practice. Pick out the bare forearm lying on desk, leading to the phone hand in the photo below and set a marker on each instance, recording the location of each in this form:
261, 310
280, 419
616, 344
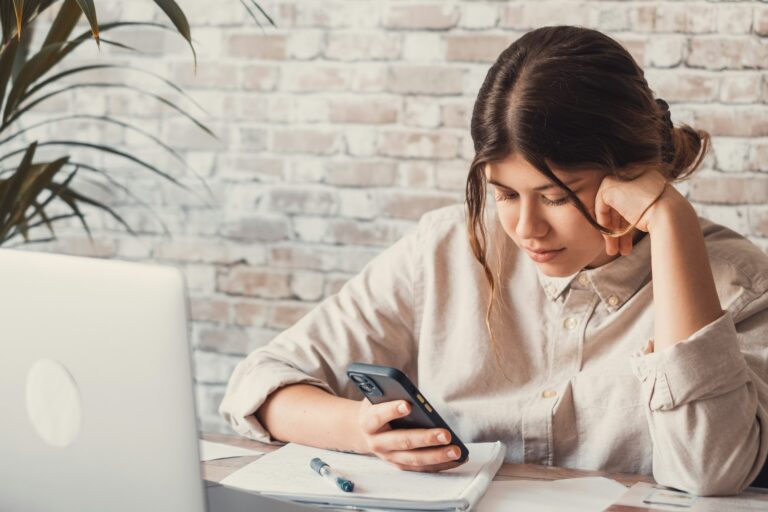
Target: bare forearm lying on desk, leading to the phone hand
306, 414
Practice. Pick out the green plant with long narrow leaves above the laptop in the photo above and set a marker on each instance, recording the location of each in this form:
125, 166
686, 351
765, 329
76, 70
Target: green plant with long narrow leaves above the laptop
29, 188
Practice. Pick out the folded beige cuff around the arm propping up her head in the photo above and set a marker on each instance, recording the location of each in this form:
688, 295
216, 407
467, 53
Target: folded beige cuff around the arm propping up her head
707, 364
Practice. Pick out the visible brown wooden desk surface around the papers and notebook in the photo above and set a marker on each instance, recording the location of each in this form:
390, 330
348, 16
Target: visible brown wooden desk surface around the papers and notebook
217, 470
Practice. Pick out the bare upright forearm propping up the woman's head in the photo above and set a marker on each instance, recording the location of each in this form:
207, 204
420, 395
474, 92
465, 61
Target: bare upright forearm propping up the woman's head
684, 293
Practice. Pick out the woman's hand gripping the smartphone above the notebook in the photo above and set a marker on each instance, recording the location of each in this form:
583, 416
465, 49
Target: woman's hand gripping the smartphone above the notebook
417, 449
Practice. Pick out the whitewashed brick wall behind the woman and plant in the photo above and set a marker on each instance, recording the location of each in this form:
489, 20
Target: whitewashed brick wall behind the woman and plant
342, 126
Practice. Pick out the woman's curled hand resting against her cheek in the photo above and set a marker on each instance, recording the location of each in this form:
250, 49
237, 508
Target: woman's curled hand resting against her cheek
621, 203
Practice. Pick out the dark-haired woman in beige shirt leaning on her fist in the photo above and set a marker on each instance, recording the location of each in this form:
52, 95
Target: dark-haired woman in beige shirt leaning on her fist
543, 328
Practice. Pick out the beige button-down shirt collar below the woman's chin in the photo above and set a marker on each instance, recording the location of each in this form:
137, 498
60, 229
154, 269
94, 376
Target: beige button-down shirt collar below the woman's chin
615, 282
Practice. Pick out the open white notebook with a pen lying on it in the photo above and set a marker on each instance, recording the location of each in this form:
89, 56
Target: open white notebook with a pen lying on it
285, 473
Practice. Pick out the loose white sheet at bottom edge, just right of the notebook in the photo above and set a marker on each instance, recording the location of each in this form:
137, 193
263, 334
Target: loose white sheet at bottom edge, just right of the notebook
591, 494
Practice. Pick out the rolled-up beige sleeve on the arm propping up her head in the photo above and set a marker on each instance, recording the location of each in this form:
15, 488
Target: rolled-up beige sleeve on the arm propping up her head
707, 402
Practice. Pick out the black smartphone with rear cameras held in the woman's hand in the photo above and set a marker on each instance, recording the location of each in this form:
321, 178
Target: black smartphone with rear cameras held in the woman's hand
385, 384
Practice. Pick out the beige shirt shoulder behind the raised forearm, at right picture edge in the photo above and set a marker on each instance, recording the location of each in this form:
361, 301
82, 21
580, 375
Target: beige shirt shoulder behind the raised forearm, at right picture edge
740, 268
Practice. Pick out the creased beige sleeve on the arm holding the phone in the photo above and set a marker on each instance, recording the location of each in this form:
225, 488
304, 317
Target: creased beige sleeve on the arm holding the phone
369, 320
